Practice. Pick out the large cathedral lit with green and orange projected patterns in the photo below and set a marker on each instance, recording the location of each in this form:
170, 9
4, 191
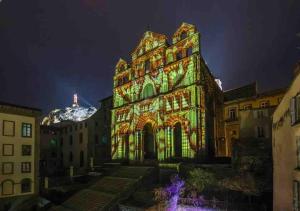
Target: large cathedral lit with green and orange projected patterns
166, 103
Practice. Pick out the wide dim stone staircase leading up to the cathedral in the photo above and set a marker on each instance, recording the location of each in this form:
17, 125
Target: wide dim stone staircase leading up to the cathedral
107, 192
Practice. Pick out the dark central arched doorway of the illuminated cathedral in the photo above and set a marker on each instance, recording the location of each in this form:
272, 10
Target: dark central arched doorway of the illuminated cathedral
149, 145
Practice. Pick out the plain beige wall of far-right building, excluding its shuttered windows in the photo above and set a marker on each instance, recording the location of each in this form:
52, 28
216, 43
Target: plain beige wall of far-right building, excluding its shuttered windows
285, 151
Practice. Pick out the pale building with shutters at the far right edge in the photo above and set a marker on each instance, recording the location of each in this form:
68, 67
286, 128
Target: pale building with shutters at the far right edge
286, 149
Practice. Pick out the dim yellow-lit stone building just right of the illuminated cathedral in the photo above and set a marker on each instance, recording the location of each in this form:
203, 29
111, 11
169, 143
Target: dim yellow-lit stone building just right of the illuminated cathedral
248, 114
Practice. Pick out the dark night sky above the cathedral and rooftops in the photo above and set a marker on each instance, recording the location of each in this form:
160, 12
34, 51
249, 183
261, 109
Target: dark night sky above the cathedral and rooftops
50, 49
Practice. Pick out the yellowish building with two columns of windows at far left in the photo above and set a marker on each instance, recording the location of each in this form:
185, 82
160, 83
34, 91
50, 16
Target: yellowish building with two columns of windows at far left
19, 152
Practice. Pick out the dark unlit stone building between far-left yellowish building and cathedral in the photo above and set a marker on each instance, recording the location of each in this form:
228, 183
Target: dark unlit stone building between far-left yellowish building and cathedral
80, 144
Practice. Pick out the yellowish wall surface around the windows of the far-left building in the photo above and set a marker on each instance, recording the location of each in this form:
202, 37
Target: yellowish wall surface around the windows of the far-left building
17, 158
